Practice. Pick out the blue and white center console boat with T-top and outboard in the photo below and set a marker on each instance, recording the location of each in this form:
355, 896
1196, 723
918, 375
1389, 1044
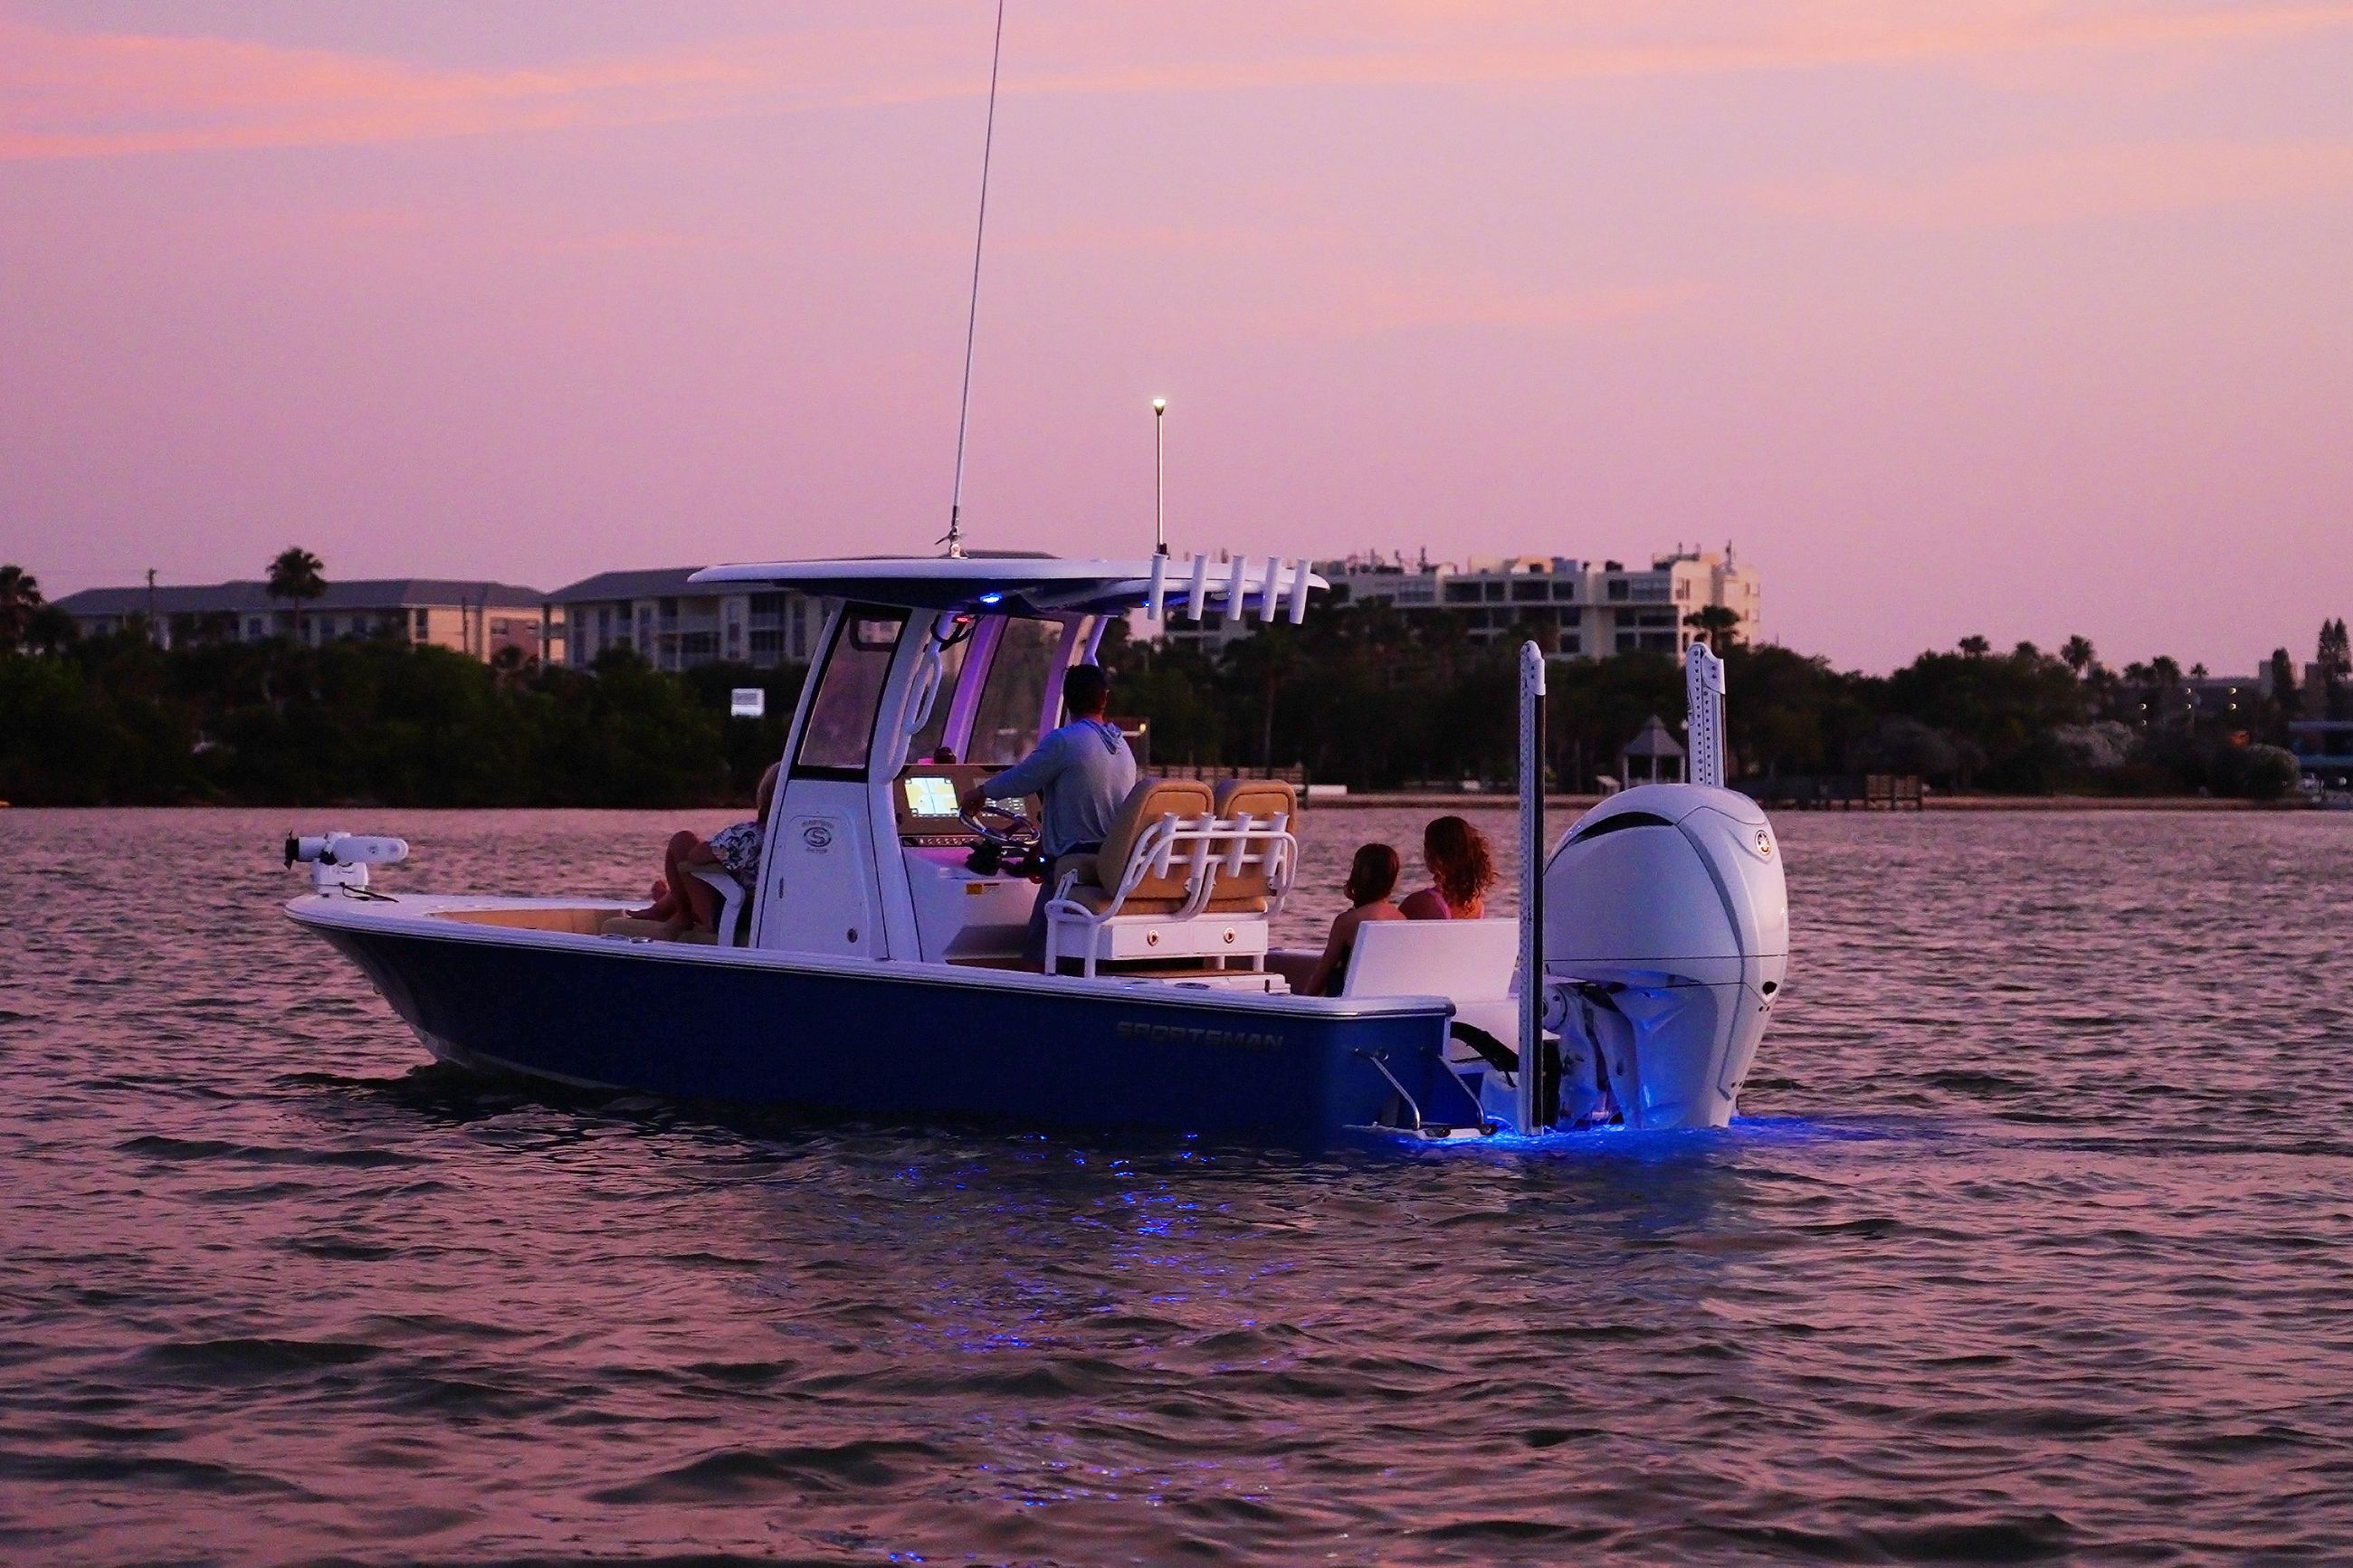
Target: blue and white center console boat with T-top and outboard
876, 965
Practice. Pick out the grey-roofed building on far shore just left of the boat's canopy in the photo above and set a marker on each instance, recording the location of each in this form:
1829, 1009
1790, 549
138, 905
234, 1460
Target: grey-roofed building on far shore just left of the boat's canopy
679, 624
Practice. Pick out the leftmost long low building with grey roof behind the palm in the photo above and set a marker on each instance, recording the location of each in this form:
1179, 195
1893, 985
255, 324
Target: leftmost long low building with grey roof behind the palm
467, 617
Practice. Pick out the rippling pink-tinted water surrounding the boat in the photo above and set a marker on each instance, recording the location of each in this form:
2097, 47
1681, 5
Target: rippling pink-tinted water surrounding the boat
2034, 1247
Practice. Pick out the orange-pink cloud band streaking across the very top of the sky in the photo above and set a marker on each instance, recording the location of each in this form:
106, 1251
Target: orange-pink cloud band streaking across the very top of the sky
88, 95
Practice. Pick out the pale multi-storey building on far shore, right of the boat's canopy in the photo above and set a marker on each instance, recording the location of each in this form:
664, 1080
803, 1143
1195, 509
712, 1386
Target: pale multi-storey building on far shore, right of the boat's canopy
1589, 610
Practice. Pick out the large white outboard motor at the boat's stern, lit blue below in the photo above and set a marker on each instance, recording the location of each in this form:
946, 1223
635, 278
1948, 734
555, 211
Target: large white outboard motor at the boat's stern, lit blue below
1665, 944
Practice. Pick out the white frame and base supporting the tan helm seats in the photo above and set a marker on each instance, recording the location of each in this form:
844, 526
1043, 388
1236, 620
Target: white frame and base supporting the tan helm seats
1211, 850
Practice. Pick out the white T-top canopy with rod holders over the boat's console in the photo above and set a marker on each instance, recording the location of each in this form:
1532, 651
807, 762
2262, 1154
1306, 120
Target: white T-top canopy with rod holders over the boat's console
1029, 584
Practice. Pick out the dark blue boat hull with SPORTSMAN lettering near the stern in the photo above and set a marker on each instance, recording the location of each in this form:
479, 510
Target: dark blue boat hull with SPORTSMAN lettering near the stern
902, 1040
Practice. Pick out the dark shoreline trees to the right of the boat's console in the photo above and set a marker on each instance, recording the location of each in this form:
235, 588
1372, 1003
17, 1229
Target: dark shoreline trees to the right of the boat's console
1375, 699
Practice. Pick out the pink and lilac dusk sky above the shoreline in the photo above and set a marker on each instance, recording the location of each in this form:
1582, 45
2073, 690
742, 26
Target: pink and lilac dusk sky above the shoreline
2011, 316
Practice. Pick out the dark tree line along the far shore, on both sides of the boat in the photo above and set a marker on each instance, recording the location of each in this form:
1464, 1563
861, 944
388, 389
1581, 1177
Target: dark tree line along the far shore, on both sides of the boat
1359, 695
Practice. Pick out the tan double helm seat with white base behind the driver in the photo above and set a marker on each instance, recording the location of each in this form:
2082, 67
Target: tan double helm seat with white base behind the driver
1178, 878
